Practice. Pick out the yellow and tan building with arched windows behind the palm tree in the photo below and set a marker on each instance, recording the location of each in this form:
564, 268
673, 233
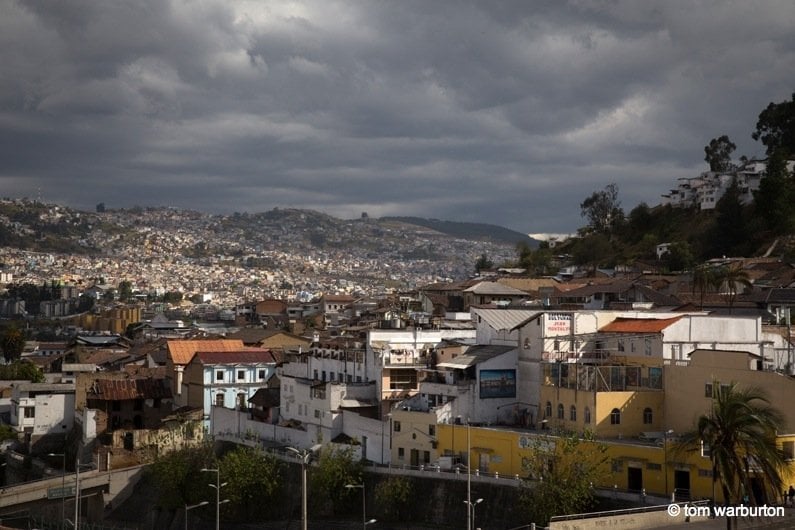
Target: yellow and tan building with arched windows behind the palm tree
636, 409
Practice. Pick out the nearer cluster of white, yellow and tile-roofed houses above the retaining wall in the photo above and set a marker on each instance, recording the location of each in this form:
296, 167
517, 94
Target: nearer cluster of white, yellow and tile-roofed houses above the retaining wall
469, 372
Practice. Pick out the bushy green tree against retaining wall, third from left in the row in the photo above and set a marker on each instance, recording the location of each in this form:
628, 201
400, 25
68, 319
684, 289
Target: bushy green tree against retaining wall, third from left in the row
336, 467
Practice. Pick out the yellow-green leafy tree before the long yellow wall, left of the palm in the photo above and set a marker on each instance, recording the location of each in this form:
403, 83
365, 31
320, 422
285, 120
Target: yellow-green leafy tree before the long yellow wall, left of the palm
561, 472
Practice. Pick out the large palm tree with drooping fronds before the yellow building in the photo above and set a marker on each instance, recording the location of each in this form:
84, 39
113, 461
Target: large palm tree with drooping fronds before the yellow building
740, 435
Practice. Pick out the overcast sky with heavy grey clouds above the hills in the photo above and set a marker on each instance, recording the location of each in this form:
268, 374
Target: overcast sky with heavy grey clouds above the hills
505, 112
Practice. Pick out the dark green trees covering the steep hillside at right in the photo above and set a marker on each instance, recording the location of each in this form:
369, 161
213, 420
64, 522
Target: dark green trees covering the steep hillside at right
766, 226
